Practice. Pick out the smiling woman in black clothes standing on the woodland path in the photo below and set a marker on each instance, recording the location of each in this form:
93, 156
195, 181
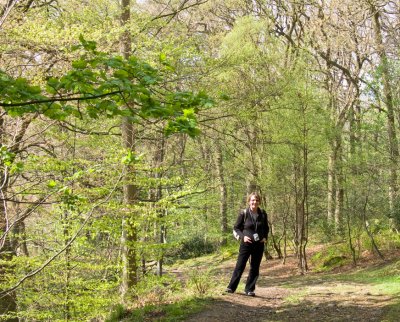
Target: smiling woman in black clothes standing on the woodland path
251, 228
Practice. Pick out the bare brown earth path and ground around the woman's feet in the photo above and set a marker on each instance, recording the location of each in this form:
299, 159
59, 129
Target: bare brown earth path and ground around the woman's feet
282, 294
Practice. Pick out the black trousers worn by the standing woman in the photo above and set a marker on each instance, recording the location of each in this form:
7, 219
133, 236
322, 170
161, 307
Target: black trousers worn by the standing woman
254, 251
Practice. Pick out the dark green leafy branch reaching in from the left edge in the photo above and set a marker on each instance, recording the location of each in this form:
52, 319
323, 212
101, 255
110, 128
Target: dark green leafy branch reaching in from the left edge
105, 85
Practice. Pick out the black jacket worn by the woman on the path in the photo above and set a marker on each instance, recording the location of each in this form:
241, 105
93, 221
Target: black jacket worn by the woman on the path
246, 225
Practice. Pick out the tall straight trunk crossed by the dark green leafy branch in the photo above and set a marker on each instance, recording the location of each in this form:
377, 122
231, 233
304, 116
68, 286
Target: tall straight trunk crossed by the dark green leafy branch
129, 233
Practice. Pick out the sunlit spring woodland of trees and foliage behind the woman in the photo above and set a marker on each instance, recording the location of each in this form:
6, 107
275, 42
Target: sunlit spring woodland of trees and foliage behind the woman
132, 131
